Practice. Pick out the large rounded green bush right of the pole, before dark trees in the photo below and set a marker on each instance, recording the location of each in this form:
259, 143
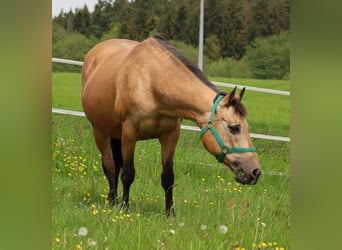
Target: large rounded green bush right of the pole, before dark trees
269, 57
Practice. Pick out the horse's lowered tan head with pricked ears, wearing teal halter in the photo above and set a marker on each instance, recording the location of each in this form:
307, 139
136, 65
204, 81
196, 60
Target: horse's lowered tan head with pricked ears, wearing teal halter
226, 136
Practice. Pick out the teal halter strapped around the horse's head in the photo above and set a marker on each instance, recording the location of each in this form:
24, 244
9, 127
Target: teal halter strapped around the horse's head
210, 125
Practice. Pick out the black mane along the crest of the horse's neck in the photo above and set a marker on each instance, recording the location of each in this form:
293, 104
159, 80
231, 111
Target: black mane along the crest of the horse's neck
194, 69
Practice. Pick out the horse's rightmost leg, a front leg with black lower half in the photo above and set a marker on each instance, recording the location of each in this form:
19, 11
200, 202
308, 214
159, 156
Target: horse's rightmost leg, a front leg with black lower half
168, 145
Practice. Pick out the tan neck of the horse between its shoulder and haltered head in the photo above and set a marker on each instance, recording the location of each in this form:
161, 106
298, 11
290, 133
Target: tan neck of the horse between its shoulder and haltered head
178, 91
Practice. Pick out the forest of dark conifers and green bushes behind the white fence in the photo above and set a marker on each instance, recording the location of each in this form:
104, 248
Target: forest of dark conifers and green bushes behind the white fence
242, 38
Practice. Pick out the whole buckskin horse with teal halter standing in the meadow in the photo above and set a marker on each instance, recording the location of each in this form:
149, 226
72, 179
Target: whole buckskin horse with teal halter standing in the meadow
142, 90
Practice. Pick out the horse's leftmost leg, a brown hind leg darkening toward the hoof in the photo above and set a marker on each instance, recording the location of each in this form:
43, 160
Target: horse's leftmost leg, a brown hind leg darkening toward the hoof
110, 170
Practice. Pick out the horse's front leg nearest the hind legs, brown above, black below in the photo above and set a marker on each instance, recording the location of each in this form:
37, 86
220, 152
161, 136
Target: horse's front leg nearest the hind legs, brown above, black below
128, 142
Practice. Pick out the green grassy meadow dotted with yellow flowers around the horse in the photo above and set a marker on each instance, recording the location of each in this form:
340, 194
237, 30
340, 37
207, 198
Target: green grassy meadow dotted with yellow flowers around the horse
213, 211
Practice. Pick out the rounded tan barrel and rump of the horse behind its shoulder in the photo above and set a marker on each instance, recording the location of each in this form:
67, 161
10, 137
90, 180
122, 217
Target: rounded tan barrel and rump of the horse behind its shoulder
100, 68
